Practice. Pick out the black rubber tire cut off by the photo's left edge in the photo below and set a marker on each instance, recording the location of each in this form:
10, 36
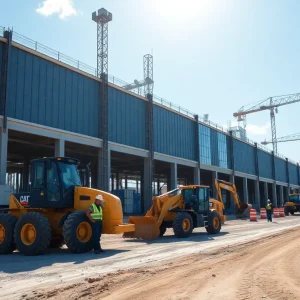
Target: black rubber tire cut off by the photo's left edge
8, 222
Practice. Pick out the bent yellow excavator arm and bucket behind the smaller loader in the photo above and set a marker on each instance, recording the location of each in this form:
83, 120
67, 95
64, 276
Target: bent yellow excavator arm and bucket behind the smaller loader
242, 208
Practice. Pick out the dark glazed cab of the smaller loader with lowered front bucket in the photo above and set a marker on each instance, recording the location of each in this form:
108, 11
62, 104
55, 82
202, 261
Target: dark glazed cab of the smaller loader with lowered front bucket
196, 198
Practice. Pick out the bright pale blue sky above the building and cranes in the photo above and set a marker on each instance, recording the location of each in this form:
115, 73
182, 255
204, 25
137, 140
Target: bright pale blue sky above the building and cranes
209, 56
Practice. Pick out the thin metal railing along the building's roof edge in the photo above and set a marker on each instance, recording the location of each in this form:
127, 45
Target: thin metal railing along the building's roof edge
29, 43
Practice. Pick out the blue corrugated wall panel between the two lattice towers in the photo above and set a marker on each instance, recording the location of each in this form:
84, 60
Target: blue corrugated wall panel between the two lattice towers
127, 119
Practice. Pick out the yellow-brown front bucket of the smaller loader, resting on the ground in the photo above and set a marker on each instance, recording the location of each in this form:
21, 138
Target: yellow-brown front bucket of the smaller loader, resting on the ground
146, 228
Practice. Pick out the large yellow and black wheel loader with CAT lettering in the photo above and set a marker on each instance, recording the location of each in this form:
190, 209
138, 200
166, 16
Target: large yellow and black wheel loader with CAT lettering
53, 212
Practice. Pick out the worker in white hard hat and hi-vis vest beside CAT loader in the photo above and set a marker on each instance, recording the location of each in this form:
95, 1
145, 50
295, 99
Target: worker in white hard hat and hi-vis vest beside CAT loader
94, 213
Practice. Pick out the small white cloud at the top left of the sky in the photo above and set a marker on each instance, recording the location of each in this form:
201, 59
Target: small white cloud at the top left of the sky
64, 8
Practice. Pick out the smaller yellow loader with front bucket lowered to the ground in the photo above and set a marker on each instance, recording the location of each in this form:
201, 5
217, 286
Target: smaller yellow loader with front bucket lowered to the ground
182, 209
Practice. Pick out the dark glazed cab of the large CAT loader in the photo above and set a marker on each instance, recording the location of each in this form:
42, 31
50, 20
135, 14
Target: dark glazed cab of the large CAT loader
52, 182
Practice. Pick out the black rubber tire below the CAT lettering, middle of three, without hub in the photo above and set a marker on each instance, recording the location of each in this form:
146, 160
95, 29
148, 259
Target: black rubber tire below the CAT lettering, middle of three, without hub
43, 234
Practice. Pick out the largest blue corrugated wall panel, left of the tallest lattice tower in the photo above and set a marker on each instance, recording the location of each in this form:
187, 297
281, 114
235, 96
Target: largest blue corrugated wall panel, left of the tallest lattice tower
42, 92
